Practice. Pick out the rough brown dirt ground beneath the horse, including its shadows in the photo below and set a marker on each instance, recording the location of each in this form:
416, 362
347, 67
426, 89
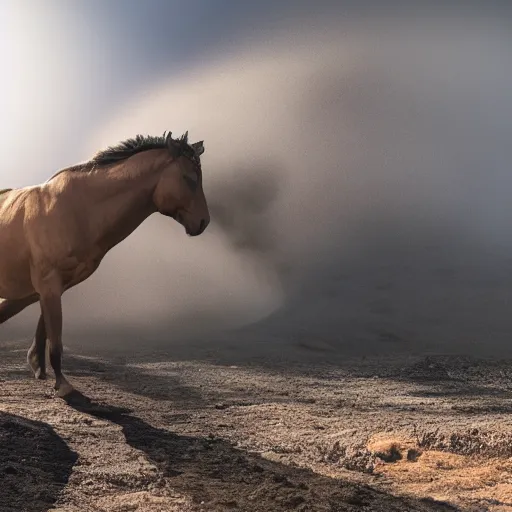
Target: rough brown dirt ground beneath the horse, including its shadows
415, 434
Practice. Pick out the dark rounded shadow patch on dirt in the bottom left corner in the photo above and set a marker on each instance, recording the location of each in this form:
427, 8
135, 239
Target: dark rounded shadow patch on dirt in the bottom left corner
35, 464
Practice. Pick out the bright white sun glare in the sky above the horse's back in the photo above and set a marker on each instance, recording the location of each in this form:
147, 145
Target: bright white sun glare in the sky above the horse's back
42, 73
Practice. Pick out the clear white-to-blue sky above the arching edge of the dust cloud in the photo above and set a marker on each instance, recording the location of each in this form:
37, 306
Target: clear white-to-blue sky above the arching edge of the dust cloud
78, 62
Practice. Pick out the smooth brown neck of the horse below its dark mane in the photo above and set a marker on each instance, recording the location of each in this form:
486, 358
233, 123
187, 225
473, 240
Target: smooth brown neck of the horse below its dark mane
122, 197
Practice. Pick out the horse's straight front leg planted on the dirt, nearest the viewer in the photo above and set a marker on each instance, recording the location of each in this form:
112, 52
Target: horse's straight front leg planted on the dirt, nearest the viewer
51, 307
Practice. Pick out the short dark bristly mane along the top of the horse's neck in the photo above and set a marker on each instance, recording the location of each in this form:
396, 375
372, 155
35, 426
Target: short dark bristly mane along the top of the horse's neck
137, 144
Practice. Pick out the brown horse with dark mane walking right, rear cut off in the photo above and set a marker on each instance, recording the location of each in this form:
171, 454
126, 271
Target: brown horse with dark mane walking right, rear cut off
53, 236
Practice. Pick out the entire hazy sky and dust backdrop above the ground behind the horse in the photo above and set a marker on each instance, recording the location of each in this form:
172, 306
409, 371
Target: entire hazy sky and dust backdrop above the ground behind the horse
356, 166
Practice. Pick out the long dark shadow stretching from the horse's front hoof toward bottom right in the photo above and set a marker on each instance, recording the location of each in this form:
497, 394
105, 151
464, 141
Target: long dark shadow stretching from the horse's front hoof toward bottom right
218, 476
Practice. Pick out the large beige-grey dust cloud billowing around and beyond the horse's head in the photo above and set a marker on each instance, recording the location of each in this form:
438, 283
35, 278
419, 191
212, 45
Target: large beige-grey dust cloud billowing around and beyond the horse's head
359, 187
